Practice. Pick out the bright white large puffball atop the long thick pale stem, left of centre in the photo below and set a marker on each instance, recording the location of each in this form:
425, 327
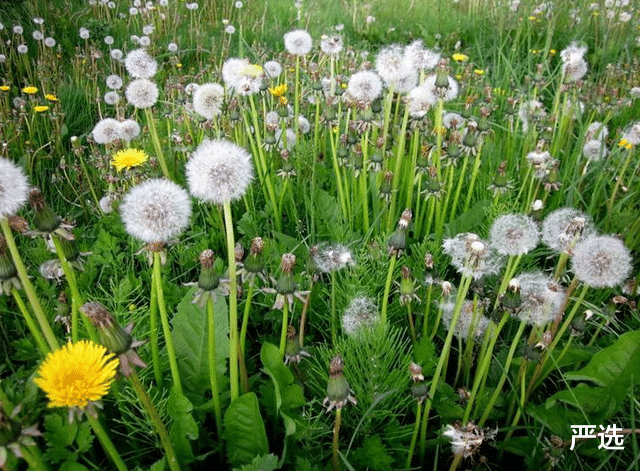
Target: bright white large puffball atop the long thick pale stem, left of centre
219, 171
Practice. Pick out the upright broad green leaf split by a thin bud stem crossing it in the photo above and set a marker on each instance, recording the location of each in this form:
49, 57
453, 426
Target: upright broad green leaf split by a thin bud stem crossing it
190, 338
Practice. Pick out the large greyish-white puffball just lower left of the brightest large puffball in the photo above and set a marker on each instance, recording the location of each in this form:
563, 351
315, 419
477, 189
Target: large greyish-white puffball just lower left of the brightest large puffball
156, 210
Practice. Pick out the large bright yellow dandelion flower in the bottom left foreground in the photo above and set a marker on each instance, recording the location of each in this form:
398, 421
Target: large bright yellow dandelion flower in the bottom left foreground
77, 374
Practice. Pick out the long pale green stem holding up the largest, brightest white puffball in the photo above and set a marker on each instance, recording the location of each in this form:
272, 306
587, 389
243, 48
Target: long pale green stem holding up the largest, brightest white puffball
233, 303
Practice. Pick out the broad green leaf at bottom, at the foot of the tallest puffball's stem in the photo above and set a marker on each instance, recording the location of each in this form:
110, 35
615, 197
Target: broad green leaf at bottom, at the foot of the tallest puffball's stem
244, 430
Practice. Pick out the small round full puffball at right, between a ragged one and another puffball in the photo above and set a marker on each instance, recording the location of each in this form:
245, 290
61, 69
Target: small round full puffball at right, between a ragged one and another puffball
514, 234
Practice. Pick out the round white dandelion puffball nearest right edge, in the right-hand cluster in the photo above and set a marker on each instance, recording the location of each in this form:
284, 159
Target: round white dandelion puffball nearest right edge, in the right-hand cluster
601, 261
